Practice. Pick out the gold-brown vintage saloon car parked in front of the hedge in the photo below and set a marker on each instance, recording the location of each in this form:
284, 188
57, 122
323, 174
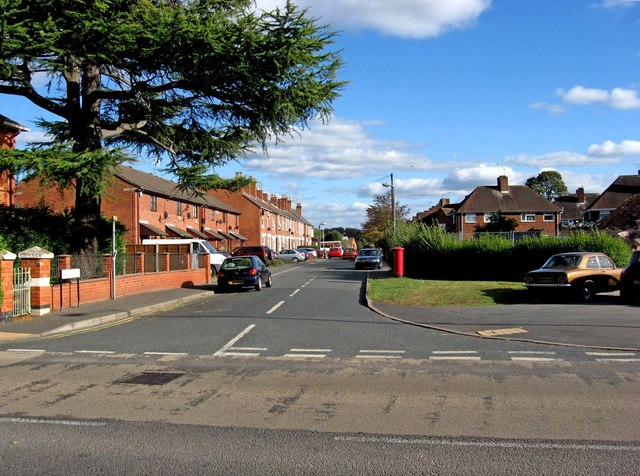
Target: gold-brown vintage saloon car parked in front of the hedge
581, 274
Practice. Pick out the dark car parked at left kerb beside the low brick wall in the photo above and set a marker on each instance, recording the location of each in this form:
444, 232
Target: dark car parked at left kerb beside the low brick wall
243, 272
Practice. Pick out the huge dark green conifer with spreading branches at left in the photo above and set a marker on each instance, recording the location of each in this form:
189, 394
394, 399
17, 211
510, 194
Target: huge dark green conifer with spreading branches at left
197, 83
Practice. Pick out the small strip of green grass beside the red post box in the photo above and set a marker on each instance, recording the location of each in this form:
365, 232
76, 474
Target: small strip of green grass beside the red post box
417, 292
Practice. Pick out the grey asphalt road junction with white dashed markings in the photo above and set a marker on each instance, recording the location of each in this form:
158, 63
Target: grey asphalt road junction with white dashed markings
302, 378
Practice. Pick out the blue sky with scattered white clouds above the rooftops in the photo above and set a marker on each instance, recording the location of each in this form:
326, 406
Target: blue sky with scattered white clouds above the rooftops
449, 94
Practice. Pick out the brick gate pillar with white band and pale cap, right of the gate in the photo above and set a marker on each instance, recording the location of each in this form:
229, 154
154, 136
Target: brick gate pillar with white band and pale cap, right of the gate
39, 262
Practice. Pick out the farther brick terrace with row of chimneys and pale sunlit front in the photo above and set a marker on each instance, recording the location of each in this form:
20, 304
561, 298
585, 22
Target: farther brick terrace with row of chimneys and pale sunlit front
268, 220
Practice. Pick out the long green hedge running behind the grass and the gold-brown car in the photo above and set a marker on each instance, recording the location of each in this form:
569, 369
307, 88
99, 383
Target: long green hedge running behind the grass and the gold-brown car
430, 253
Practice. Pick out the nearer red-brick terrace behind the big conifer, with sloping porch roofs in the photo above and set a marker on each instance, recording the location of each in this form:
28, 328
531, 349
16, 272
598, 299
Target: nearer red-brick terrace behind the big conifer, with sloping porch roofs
150, 207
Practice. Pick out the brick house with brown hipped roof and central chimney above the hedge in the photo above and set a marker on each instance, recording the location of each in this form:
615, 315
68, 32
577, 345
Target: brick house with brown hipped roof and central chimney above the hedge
531, 211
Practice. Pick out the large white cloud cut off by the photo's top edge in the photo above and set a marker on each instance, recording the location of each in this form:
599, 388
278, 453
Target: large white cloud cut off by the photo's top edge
403, 18
